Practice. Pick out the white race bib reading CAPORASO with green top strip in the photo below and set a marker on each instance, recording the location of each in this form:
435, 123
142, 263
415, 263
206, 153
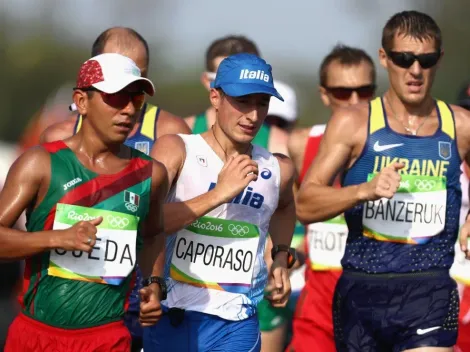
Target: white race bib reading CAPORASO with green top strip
216, 253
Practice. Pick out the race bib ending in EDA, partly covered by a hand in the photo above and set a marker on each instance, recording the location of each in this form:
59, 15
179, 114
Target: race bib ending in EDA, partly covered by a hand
114, 255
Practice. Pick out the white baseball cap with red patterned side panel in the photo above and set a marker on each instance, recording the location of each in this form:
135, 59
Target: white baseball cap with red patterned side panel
111, 73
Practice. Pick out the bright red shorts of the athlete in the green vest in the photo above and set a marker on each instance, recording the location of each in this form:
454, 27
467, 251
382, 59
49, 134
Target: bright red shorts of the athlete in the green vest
29, 335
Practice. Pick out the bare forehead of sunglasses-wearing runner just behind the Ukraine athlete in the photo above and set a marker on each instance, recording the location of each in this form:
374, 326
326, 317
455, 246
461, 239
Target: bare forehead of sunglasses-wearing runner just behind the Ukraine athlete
339, 75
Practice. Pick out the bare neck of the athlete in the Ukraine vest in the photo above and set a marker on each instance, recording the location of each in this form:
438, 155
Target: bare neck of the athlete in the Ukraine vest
406, 111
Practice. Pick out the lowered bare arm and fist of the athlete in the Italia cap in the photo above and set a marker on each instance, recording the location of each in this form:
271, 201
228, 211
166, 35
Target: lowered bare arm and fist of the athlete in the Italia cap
281, 229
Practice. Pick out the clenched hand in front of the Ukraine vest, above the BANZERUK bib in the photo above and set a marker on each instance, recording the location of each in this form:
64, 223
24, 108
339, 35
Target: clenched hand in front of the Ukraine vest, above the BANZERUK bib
383, 185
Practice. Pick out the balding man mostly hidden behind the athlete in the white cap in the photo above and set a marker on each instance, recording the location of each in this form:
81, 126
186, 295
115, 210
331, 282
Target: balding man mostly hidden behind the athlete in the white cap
151, 124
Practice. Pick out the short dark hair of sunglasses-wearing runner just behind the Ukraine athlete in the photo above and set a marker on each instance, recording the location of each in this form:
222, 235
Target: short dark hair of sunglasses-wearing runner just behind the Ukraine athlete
346, 55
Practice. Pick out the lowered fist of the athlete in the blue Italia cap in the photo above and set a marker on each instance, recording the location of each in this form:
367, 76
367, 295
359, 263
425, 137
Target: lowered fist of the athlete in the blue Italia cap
278, 288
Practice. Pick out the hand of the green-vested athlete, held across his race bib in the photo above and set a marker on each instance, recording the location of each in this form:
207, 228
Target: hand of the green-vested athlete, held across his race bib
79, 237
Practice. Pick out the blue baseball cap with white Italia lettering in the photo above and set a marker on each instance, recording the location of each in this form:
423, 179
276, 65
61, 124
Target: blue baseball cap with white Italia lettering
243, 74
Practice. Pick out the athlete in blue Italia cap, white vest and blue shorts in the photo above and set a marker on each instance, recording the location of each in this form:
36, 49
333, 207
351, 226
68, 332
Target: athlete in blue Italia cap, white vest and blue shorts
220, 212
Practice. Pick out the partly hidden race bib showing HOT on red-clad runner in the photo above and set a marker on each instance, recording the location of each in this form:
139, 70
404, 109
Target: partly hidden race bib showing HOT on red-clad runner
326, 243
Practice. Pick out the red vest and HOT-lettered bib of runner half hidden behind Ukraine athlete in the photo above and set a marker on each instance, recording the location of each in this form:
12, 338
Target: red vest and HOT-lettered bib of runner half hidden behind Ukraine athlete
326, 240
